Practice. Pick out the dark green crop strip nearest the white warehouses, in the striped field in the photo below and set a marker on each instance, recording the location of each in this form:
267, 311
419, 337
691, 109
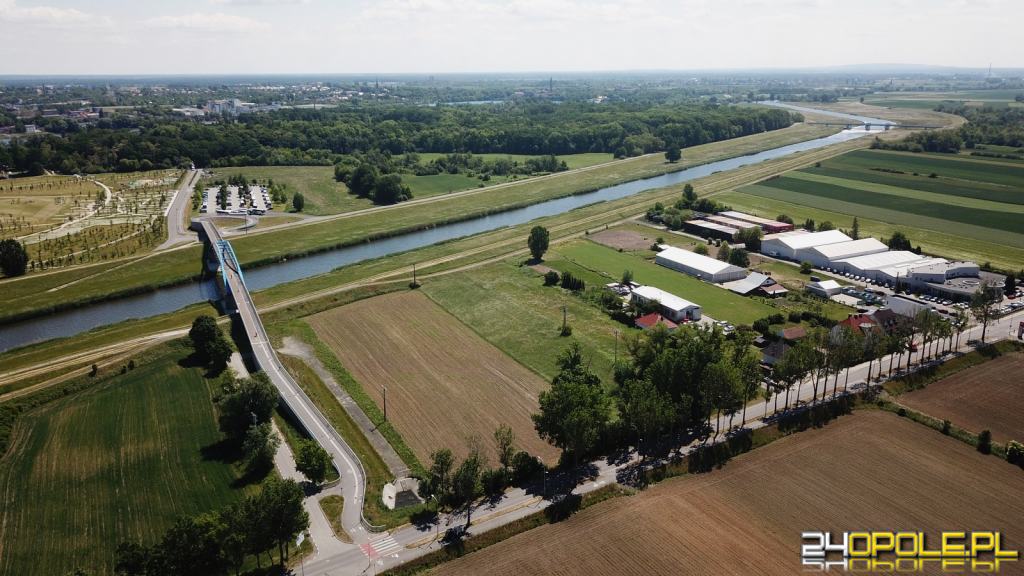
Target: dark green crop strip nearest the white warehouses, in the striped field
892, 210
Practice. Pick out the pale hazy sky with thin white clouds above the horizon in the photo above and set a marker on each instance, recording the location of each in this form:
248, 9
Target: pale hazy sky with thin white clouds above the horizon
465, 36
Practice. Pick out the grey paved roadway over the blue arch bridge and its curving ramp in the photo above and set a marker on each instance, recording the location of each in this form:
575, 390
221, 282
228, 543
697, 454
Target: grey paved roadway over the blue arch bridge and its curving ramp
353, 476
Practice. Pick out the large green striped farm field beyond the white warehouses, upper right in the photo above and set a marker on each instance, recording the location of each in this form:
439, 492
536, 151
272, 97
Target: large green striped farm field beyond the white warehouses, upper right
972, 209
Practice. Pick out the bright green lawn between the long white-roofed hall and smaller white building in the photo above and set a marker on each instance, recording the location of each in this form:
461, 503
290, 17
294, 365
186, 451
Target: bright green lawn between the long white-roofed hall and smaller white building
715, 301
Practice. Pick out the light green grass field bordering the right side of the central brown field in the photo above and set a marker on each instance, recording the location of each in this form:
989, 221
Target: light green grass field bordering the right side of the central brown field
509, 307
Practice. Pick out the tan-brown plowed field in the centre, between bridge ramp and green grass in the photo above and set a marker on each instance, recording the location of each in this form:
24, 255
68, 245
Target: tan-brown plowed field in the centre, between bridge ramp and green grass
445, 384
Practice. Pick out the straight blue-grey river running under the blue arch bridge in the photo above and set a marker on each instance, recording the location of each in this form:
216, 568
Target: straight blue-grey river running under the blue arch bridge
82, 319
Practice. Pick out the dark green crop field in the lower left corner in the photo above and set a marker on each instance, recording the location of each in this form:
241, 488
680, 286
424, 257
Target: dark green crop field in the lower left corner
119, 462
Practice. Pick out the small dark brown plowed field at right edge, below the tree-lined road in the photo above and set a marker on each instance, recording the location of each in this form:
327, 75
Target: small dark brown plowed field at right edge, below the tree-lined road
989, 396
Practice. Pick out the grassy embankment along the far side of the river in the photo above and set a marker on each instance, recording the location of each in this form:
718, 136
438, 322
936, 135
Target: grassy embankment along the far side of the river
42, 295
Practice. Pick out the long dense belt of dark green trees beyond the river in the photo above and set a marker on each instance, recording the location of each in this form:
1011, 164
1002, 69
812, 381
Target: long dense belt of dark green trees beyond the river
322, 137
